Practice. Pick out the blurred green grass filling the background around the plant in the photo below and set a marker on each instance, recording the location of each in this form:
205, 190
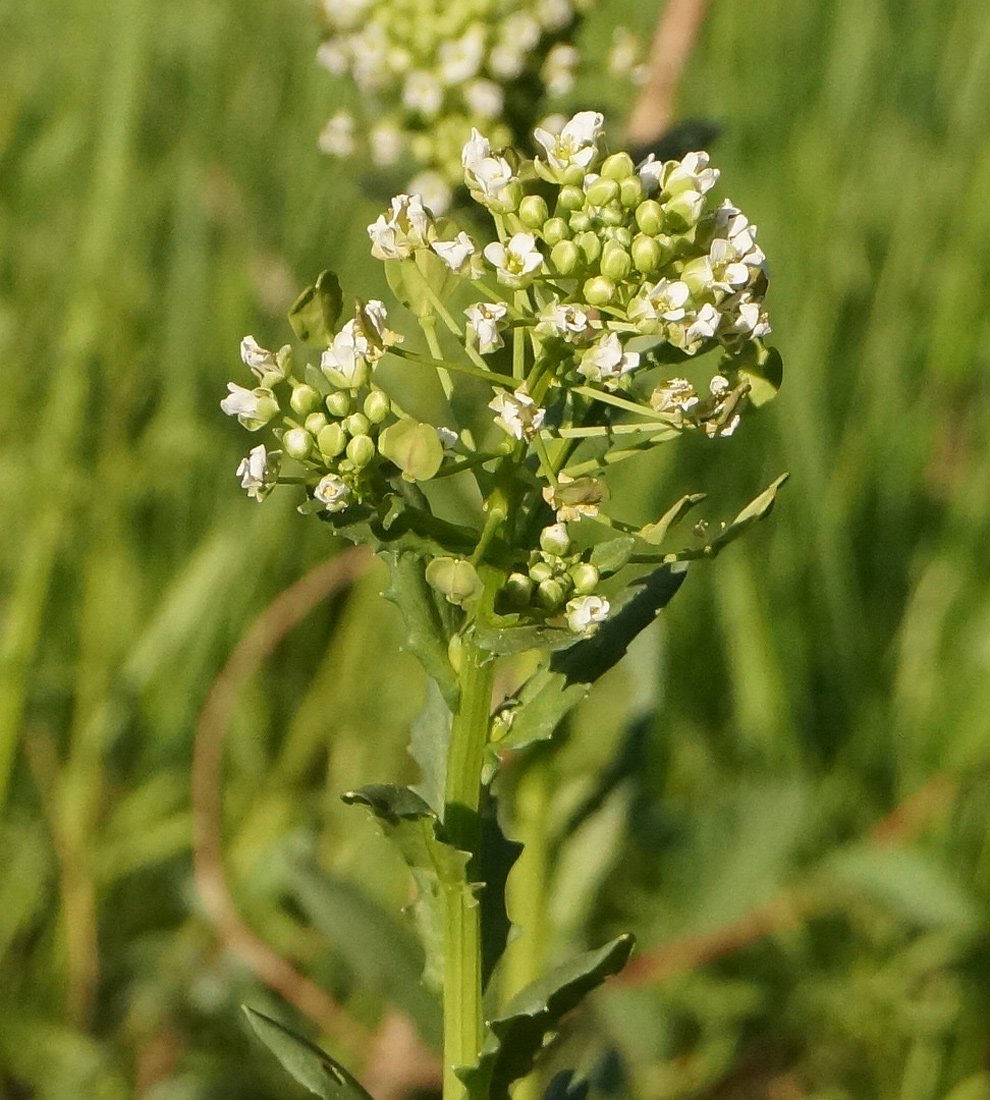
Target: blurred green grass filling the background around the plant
161, 195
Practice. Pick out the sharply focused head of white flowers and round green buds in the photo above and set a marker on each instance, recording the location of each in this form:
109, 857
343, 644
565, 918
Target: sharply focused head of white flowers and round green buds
603, 277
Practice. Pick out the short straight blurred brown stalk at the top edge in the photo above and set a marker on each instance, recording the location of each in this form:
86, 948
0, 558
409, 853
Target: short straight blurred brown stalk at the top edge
674, 42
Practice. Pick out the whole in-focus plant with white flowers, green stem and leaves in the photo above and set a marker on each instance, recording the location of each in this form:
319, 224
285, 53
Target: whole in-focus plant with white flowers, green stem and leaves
568, 344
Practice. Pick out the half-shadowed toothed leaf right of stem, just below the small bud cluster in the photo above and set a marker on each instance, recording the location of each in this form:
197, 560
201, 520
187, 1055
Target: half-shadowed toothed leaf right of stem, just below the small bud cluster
552, 692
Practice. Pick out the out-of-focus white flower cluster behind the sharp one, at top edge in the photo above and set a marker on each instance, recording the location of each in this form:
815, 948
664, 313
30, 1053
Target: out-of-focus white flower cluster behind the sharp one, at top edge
428, 72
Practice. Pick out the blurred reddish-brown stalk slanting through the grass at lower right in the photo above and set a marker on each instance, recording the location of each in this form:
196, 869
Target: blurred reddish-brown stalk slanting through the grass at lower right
791, 907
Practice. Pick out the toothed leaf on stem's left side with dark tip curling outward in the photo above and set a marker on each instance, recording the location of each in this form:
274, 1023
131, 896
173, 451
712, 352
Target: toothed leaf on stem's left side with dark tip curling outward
437, 867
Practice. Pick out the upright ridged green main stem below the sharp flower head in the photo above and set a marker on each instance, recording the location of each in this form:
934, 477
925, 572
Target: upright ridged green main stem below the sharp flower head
464, 1025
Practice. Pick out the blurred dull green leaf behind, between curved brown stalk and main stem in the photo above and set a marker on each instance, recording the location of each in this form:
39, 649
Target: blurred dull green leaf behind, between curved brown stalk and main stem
378, 947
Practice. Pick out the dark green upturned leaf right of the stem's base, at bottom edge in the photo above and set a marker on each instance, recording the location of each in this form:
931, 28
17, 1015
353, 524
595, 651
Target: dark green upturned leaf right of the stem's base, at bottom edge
518, 1037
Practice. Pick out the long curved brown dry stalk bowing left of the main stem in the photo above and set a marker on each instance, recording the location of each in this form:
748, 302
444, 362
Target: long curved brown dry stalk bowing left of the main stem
265, 634
